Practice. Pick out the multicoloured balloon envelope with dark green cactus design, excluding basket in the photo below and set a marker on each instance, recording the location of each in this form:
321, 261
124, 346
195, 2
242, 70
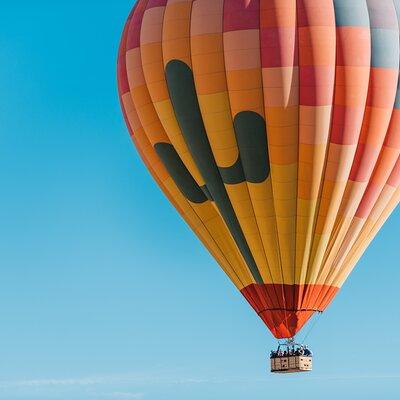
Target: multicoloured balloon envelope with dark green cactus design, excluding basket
273, 127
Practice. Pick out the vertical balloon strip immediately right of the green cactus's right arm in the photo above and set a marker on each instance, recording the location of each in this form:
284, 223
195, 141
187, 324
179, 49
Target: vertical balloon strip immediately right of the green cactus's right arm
279, 62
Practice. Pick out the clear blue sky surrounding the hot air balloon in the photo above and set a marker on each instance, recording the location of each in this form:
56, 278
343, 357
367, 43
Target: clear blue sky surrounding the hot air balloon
104, 292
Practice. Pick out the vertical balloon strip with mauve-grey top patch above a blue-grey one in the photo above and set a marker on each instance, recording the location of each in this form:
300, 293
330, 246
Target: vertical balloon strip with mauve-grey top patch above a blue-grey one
381, 96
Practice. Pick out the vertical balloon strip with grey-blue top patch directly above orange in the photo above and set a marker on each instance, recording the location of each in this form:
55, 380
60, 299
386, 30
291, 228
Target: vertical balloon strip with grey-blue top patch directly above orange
353, 54
